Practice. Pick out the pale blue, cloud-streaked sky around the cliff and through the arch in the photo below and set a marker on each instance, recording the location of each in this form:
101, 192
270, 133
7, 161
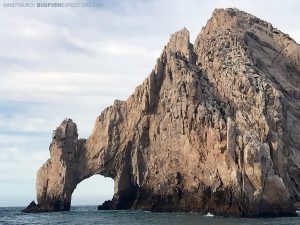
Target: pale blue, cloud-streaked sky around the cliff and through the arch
58, 63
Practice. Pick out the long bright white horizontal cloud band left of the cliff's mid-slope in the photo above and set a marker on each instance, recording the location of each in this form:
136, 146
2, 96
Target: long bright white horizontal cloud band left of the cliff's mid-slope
51, 86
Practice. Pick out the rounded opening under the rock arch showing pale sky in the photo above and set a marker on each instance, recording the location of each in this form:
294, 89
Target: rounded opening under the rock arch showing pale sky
93, 191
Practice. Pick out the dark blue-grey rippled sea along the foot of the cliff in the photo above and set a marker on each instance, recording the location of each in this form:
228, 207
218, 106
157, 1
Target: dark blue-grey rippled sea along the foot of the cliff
86, 215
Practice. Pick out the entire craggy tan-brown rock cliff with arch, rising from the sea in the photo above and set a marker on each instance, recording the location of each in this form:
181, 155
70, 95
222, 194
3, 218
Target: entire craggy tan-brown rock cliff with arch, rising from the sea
214, 128
